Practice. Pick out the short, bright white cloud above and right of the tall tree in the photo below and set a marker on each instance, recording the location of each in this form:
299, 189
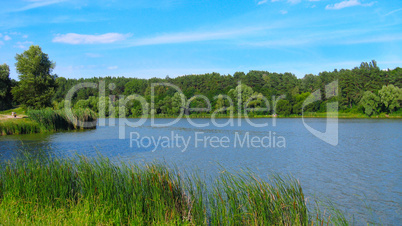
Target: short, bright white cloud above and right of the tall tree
73, 38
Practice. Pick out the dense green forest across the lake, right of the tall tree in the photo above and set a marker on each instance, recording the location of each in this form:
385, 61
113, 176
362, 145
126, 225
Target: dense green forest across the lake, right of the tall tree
259, 90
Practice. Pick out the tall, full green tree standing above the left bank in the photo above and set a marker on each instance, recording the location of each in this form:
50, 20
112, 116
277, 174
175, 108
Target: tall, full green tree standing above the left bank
37, 84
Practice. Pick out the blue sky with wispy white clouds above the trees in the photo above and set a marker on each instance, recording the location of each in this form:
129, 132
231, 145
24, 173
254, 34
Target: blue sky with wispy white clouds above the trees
155, 38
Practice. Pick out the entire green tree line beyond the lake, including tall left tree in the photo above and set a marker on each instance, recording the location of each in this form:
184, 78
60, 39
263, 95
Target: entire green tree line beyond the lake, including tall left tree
363, 89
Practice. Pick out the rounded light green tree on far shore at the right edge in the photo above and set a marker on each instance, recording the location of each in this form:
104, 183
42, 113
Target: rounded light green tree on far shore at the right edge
390, 97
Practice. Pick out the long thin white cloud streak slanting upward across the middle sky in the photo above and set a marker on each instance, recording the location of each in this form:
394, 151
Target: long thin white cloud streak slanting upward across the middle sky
195, 36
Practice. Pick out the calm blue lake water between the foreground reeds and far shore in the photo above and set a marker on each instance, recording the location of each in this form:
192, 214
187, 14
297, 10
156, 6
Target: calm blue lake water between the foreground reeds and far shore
362, 174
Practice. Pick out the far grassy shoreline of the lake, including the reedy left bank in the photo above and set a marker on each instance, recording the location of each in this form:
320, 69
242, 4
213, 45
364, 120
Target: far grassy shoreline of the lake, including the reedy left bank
47, 120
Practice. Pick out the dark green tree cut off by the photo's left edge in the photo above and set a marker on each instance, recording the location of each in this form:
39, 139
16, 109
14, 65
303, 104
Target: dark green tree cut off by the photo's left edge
5, 87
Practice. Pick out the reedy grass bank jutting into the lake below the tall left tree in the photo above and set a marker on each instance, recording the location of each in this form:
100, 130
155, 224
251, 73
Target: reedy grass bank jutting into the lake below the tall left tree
46, 120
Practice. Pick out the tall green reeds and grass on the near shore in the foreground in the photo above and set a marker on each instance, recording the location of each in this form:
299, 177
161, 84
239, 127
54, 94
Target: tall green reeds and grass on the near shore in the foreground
96, 191
